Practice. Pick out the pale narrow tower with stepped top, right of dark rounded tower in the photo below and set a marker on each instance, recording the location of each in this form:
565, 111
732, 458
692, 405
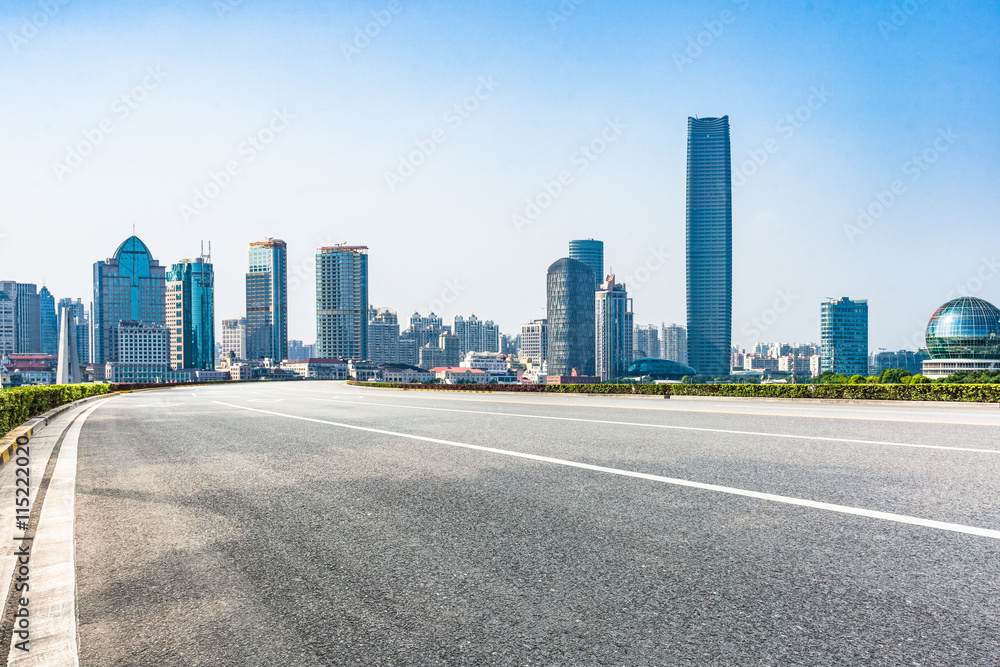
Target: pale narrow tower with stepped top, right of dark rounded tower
613, 329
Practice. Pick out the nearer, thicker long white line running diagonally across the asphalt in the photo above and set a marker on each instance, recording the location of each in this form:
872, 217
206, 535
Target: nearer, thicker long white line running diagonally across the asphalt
787, 500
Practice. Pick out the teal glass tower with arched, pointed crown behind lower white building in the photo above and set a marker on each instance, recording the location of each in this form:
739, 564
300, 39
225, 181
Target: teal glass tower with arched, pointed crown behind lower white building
130, 286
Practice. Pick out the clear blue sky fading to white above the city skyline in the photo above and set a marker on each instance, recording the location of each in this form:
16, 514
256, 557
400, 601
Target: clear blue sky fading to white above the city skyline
890, 86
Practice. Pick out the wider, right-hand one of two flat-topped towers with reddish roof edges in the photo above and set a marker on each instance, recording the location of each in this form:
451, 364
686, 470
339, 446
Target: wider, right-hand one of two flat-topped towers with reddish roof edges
342, 302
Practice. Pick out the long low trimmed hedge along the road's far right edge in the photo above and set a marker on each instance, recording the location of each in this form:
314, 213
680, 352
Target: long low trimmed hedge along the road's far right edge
972, 393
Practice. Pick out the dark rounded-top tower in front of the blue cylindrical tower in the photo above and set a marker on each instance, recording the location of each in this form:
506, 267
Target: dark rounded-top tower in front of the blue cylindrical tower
570, 297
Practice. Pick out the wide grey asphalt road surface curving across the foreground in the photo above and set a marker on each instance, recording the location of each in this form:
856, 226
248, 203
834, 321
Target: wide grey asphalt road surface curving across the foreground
320, 524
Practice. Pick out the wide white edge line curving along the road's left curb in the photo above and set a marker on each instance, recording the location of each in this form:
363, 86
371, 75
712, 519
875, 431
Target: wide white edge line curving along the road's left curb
53, 565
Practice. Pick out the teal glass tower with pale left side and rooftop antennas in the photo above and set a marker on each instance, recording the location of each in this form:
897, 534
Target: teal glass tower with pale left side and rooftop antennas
191, 313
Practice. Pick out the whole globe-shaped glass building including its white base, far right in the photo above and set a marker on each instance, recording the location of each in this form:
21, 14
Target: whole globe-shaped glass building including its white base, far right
963, 335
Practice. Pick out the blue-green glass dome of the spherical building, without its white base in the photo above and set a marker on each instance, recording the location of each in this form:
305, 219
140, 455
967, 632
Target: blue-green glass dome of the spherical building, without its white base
964, 328
